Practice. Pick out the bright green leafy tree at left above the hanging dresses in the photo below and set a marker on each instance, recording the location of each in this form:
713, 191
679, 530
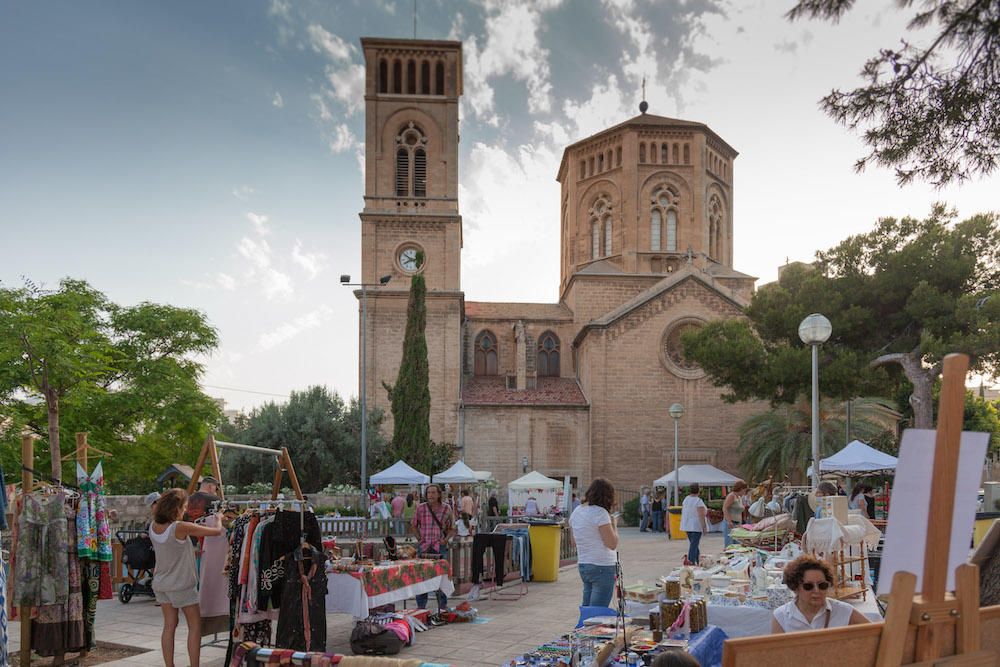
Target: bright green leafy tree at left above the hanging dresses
71, 360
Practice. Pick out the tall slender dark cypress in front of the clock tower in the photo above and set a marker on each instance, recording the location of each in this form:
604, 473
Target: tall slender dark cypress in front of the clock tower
410, 397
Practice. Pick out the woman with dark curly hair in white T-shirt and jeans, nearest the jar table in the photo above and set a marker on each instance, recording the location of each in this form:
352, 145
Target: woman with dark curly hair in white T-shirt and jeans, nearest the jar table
595, 532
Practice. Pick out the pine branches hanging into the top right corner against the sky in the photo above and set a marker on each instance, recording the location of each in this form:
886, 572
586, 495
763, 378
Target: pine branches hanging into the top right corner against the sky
929, 112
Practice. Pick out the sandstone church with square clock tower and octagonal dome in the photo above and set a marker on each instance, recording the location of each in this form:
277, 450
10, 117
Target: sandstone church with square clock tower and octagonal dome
579, 387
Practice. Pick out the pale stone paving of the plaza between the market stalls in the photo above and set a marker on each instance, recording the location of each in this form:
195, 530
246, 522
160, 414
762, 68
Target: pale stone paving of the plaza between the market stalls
548, 610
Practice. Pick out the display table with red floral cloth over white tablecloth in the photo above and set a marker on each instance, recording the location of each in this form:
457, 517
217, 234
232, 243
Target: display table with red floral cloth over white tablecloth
357, 592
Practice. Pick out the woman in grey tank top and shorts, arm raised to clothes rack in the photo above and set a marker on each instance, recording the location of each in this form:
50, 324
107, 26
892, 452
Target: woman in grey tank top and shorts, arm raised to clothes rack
174, 580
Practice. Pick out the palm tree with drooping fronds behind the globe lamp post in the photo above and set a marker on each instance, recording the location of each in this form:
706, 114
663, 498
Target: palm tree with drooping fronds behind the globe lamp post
778, 442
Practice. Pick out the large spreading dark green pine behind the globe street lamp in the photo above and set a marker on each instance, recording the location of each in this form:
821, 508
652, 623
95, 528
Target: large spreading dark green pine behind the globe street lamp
899, 298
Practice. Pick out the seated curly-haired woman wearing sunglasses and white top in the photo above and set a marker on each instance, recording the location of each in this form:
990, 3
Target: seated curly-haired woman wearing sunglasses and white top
811, 580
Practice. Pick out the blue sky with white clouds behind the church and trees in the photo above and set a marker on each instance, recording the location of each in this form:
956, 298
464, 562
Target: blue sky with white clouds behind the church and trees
210, 155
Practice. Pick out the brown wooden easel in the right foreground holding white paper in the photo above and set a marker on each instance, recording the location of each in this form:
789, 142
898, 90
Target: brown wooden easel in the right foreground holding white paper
932, 629
